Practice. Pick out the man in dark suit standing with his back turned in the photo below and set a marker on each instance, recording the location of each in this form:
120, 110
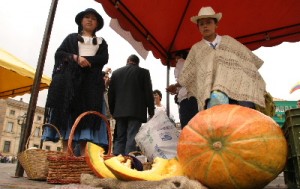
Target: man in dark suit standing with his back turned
129, 97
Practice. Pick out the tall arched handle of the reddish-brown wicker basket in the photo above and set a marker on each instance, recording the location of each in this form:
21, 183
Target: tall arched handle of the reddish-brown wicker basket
70, 149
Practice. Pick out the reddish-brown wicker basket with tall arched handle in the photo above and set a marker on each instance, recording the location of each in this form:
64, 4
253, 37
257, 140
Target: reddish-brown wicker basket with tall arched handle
68, 169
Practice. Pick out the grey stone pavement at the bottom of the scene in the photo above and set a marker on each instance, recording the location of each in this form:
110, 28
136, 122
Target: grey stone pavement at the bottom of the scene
7, 181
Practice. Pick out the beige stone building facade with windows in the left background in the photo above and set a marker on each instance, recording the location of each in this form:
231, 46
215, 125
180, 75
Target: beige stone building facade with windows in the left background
12, 121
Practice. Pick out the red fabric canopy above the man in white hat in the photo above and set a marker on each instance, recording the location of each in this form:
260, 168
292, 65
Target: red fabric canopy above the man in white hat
164, 26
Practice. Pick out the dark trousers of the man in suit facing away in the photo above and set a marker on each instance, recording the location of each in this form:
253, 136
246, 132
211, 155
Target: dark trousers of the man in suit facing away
124, 135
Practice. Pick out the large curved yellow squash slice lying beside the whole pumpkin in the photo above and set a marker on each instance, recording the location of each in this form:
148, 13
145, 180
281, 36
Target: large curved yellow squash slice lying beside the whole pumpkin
161, 169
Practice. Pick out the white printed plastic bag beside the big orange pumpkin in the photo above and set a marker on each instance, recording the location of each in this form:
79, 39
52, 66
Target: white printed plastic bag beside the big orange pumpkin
158, 137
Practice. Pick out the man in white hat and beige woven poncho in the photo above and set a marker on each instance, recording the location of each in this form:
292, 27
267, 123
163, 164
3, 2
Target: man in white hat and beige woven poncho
226, 70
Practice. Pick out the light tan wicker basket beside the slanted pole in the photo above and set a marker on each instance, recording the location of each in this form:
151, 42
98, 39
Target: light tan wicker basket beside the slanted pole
34, 161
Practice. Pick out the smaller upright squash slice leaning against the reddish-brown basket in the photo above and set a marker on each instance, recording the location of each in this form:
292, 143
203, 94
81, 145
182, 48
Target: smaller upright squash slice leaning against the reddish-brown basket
95, 159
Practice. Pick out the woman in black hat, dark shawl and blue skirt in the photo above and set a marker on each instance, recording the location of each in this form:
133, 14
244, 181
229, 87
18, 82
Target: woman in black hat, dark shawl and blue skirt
77, 83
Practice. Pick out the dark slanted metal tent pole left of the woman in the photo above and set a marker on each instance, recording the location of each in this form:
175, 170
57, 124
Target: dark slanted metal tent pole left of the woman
36, 85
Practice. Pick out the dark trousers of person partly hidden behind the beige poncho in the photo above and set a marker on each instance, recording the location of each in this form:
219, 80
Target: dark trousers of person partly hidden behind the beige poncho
187, 110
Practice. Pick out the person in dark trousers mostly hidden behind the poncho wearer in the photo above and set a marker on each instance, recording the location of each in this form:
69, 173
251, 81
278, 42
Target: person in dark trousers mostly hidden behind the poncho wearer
188, 106
